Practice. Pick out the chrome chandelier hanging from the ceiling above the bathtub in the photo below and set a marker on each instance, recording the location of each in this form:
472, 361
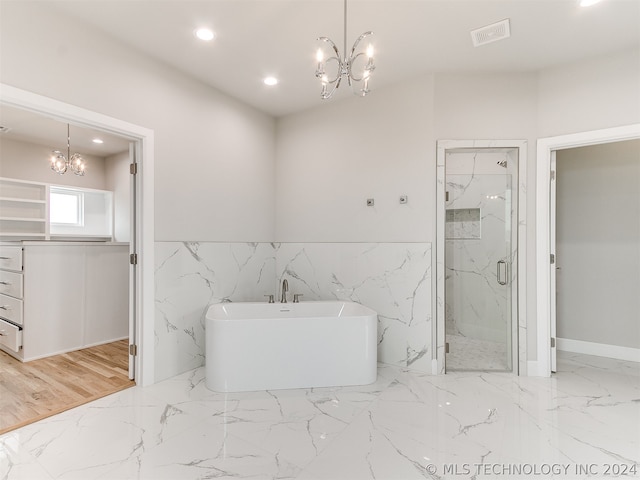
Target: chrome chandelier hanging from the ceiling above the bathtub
357, 67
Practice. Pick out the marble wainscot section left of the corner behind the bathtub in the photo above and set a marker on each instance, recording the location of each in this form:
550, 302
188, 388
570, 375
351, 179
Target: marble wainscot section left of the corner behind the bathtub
190, 276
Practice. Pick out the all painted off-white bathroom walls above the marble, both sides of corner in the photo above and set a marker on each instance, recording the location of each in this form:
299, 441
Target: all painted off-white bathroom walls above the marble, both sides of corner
330, 159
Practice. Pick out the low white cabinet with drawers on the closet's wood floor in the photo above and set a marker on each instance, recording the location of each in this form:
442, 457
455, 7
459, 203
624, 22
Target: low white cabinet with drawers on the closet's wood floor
73, 295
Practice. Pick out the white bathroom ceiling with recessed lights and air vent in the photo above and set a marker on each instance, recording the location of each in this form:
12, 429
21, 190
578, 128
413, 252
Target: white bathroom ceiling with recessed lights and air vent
256, 38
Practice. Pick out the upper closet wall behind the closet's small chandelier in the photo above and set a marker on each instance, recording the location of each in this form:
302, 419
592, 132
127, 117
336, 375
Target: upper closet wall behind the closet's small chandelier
28, 161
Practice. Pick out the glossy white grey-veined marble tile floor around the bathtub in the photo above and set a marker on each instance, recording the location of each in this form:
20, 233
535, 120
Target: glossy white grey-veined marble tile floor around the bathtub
577, 424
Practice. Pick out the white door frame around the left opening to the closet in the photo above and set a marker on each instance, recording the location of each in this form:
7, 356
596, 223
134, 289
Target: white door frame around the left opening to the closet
144, 206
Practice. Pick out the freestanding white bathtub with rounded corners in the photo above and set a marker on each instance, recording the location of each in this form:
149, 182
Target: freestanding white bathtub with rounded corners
269, 346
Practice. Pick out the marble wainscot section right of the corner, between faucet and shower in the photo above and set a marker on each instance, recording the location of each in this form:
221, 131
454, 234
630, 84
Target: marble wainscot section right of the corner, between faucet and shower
394, 279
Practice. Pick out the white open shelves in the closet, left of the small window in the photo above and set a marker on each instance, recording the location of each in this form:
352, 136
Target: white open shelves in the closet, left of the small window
23, 210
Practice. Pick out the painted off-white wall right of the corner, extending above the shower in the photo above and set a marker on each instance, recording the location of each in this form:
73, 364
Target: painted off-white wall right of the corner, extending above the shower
332, 158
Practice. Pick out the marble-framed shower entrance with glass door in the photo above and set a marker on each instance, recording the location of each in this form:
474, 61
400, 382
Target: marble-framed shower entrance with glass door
479, 244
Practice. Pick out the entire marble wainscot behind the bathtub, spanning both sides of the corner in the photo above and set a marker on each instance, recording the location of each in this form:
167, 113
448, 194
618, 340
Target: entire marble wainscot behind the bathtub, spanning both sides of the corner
393, 278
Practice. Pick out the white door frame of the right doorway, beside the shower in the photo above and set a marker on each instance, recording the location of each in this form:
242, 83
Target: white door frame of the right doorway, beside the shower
545, 151
